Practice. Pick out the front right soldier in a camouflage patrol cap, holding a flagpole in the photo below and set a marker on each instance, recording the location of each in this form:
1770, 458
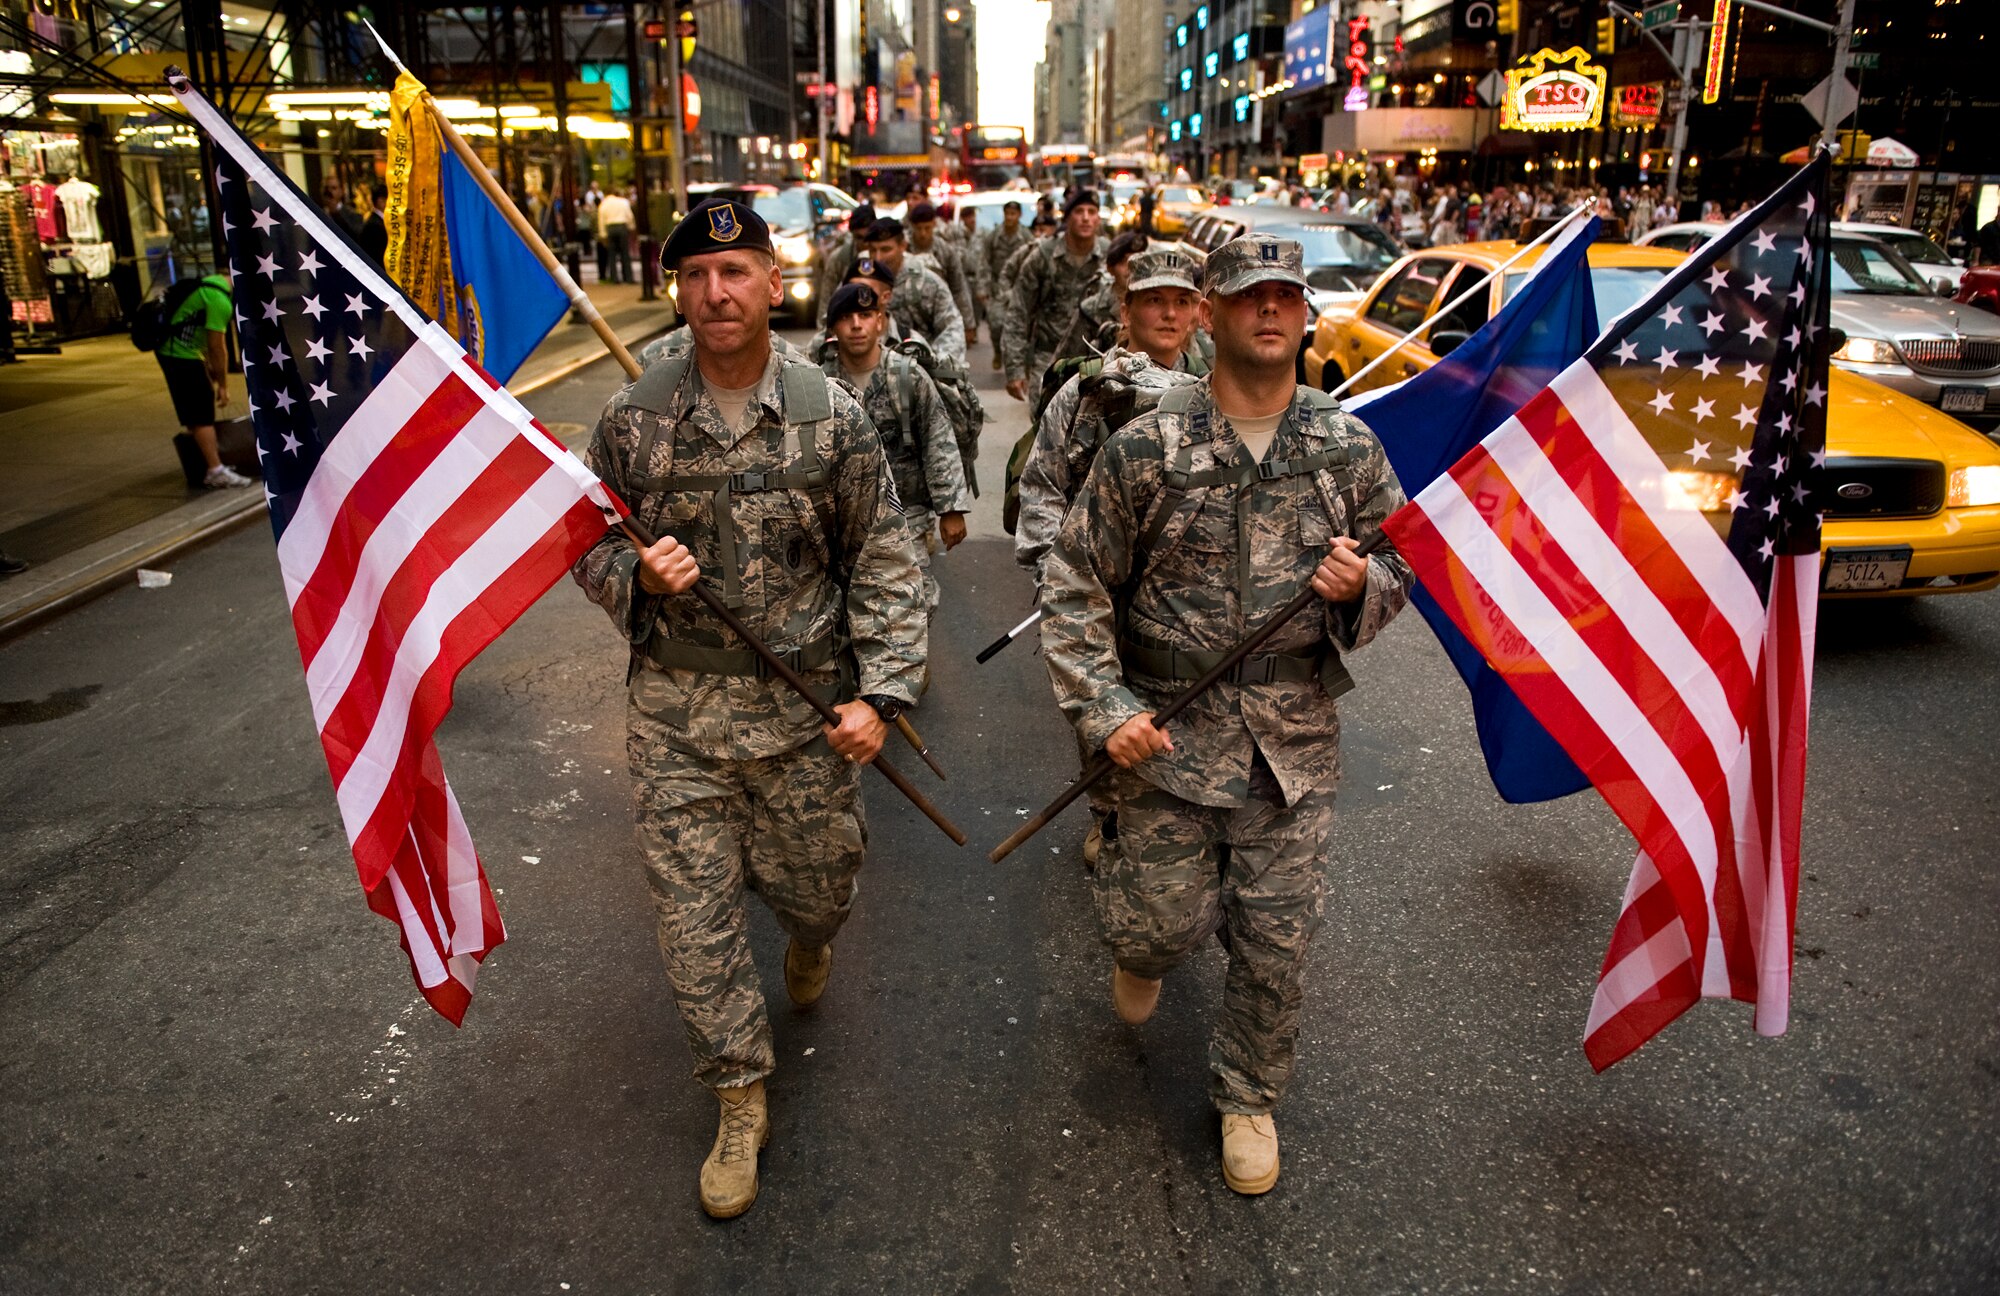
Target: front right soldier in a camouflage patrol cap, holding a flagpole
1193, 527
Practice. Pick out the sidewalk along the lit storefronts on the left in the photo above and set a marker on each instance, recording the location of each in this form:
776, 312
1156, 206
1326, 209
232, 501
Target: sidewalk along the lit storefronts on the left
89, 483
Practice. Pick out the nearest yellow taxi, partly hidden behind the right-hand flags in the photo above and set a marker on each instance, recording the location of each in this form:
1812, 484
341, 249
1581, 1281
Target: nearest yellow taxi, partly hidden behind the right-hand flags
1913, 495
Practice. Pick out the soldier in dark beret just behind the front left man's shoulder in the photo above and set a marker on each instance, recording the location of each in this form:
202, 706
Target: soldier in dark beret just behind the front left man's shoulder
909, 415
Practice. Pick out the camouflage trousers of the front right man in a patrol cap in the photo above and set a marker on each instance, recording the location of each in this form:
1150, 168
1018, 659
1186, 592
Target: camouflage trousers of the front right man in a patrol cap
1179, 873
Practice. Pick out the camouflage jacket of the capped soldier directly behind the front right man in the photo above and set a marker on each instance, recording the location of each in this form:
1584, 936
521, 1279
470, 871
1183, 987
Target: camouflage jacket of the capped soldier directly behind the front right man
1073, 429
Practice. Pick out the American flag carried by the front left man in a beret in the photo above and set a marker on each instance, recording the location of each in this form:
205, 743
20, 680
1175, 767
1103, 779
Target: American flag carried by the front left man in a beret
419, 511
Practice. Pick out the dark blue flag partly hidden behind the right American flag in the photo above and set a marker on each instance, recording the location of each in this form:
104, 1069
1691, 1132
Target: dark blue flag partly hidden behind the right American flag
1429, 423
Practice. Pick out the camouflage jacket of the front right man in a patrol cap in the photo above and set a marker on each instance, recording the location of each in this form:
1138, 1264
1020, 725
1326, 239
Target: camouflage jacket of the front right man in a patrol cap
1229, 557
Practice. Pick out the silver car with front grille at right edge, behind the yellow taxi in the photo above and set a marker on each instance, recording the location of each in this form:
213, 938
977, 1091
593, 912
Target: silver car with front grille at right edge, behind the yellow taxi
1903, 335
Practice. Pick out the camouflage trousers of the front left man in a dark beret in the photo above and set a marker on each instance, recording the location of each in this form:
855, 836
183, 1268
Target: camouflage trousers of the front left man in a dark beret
785, 827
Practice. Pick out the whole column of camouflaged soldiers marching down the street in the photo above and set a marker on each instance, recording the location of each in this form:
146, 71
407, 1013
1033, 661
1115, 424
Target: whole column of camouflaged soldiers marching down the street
1167, 509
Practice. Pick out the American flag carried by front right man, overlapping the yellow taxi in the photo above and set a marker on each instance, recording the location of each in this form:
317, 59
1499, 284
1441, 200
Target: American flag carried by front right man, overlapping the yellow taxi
1637, 551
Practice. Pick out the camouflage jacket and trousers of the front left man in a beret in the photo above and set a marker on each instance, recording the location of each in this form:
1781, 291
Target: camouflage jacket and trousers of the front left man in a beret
737, 785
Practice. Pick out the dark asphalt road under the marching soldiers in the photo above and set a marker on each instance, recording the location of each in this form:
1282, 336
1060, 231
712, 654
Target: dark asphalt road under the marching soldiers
215, 1073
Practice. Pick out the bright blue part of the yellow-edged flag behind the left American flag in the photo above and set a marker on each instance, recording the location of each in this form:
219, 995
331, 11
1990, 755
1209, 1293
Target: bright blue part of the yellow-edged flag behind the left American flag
507, 301
